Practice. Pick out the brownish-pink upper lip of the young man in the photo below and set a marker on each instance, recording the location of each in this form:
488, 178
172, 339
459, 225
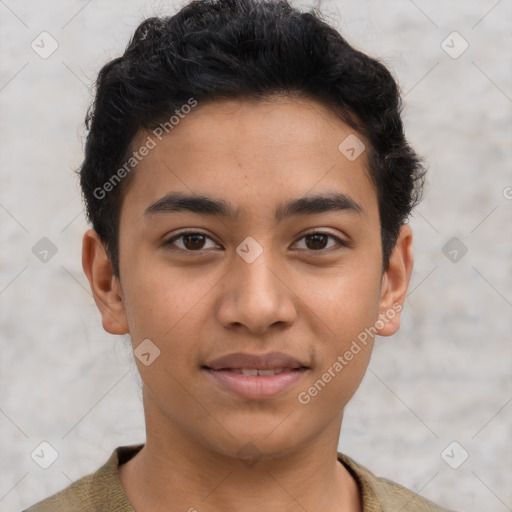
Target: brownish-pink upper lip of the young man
242, 360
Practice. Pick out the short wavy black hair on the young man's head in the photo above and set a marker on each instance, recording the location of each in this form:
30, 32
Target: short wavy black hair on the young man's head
253, 49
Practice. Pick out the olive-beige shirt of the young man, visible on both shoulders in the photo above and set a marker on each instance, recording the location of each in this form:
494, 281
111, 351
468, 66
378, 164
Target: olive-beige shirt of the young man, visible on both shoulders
102, 491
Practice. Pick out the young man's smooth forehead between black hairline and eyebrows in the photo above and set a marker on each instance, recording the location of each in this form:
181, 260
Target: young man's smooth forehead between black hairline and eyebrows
252, 154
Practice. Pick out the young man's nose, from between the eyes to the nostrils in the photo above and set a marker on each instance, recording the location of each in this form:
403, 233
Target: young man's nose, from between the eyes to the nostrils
257, 296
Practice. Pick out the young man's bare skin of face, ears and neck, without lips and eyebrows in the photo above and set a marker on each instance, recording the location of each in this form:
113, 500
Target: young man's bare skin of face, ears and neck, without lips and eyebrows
305, 298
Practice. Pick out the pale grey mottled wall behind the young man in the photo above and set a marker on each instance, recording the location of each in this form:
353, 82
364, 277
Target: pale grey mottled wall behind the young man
446, 376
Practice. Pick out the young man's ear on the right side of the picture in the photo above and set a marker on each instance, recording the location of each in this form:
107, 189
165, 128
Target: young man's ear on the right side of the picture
395, 282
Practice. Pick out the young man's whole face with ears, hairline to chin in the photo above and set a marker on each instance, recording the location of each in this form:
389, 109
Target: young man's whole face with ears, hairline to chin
249, 242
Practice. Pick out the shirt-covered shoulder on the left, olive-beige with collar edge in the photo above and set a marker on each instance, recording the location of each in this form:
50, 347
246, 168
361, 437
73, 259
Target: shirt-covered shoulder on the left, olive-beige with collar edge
100, 490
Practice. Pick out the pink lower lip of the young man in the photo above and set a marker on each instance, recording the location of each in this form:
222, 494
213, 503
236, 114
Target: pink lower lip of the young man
256, 387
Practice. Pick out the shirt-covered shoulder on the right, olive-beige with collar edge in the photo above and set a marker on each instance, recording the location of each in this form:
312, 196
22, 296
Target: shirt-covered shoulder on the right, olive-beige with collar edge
383, 495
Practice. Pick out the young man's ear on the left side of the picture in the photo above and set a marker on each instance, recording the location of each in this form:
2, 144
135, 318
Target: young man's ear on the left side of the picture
105, 287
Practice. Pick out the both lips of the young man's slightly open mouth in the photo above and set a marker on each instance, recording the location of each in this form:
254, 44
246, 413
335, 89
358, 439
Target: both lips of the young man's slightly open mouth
225, 372
